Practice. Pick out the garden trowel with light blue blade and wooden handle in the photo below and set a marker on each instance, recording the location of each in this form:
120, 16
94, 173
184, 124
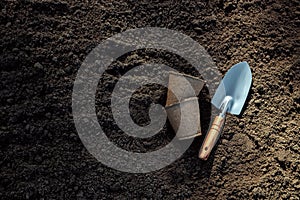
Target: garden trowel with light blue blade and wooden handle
230, 97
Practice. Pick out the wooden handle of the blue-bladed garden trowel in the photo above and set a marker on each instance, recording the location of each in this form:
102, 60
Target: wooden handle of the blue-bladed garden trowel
211, 137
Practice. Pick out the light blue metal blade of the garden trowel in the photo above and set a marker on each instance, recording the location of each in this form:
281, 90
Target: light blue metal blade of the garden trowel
236, 84
